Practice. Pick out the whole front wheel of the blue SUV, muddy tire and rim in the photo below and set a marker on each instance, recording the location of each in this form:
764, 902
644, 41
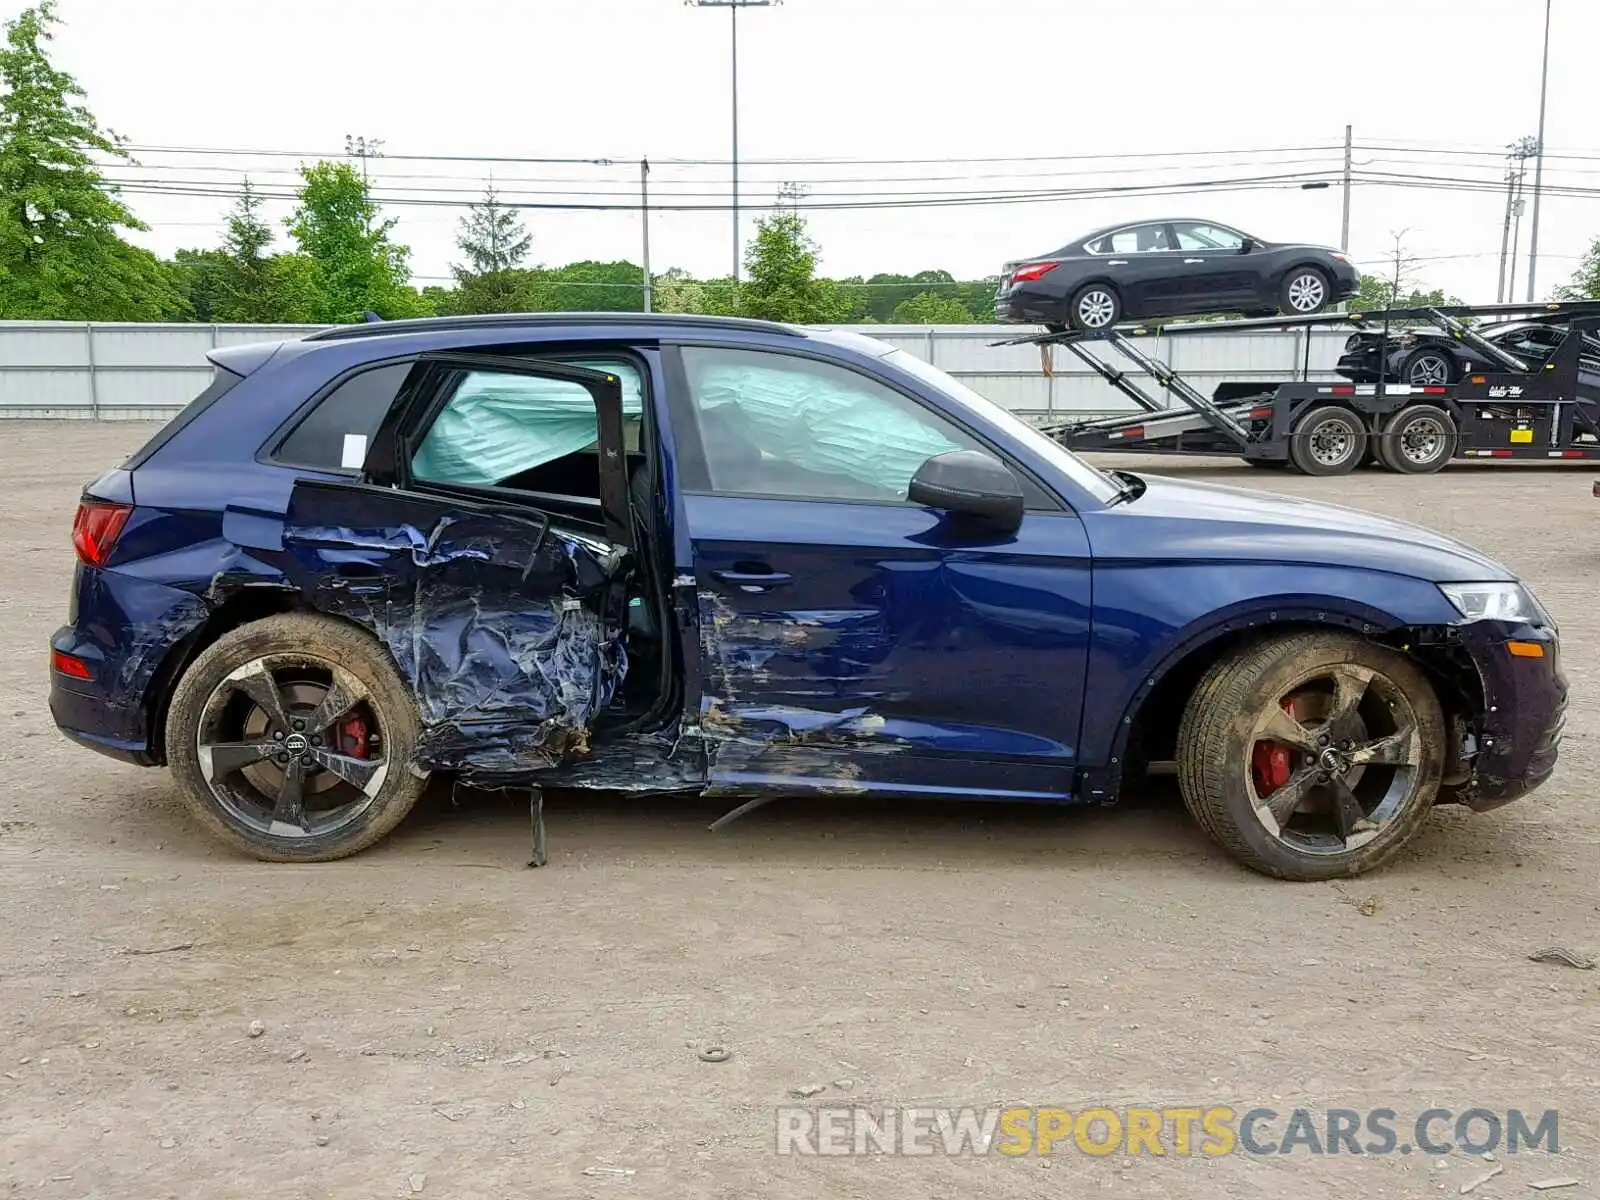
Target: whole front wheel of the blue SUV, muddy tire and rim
1313, 756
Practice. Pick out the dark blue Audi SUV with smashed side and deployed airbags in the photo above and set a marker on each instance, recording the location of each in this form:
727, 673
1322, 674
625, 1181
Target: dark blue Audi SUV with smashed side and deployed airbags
711, 556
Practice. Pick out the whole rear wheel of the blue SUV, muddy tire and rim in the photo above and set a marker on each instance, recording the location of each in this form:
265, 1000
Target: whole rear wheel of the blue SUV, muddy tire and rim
292, 740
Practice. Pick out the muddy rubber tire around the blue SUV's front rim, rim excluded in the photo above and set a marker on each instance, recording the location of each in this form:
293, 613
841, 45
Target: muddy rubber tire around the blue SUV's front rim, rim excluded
1217, 740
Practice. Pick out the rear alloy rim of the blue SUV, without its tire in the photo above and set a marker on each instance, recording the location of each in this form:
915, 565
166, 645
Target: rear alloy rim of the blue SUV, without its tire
292, 746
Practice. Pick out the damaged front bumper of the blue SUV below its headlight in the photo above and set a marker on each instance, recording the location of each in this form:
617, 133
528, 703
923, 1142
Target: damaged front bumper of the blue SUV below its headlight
1516, 740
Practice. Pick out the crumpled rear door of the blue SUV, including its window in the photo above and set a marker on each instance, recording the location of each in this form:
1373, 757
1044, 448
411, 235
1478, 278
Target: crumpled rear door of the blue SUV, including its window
502, 599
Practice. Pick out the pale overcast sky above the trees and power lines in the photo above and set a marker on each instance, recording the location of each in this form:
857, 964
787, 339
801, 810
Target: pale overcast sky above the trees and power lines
866, 81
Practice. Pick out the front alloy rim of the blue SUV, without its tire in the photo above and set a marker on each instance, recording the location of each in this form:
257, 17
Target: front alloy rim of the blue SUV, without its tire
1334, 759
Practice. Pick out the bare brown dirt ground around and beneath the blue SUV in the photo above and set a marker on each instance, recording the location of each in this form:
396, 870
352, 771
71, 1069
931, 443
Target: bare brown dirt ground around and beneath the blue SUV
442, 1022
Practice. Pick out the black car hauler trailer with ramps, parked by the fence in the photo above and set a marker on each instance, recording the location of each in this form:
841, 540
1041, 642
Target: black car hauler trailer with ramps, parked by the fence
1506, 407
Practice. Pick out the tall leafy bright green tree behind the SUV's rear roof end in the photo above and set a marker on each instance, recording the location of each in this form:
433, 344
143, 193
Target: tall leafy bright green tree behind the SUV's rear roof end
356, 266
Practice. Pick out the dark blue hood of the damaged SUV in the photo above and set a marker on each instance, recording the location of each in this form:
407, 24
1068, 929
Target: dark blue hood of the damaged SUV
1178, 519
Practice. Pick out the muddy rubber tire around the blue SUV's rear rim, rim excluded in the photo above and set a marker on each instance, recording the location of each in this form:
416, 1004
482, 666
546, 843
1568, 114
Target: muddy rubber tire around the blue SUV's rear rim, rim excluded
314, 641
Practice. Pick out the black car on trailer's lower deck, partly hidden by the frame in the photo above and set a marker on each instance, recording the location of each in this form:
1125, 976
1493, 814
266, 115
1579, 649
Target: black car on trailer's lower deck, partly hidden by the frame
1431, 358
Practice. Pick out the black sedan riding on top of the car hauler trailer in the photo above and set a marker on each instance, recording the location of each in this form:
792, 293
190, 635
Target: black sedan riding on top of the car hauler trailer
1170, 270
